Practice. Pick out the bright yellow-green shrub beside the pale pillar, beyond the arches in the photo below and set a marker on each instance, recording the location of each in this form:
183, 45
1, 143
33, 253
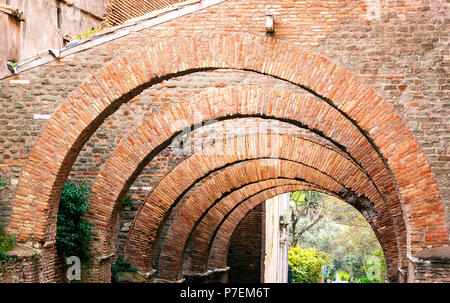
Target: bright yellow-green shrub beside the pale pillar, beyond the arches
307, 264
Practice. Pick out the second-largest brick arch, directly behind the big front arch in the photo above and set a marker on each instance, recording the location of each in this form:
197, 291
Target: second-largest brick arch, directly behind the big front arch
135, 152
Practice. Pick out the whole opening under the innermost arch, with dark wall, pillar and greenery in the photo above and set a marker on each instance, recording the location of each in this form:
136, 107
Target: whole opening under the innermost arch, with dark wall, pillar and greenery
305, 237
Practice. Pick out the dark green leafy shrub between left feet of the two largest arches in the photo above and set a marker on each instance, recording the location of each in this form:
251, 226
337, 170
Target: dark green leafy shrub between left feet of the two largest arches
74, 233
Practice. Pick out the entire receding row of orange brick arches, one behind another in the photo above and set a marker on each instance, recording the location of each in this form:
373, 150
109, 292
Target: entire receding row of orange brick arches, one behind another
348, 143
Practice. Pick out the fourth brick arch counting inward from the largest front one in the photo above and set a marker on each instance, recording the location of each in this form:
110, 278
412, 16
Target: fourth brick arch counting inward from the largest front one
217, 188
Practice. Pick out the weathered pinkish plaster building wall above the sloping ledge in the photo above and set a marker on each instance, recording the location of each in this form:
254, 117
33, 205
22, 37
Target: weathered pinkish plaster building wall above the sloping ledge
46, 22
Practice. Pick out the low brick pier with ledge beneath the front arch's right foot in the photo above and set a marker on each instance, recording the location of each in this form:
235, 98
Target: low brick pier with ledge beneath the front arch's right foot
430, 265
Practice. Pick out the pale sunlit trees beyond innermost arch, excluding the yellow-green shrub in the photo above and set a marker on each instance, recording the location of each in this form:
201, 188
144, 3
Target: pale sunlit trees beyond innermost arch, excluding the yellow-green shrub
335, 228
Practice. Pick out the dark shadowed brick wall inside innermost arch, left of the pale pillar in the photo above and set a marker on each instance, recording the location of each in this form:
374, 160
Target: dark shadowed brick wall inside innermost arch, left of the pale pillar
246, 249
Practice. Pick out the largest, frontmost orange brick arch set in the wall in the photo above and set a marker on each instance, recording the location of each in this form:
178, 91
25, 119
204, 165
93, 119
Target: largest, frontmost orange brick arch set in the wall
119, 80
